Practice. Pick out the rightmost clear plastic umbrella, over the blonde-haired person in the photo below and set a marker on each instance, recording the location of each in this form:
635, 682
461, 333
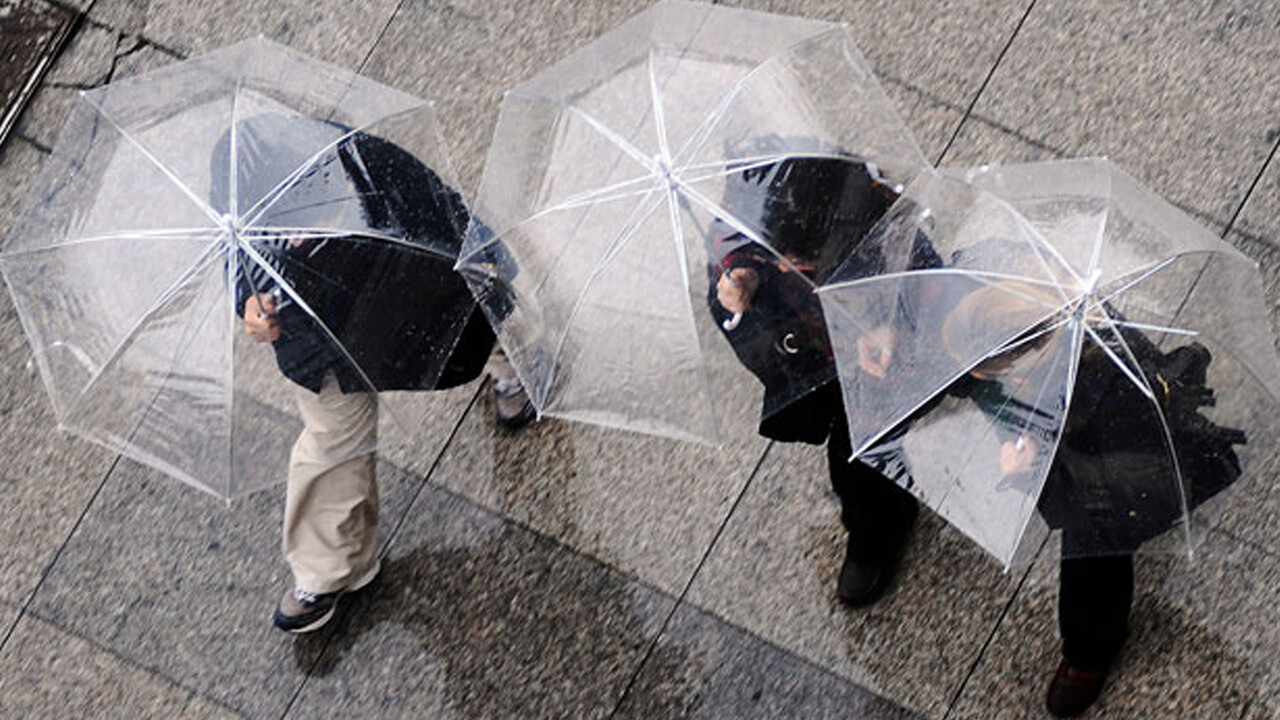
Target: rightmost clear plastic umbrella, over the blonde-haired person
1087, 359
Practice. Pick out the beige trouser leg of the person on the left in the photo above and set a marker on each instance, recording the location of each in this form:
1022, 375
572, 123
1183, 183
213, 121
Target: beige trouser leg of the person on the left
331, 509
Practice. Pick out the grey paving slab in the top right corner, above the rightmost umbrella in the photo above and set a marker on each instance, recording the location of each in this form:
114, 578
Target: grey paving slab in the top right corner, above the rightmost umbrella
1182, 101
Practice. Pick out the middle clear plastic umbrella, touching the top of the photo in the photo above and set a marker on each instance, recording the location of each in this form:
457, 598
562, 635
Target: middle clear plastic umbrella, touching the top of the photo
620, 181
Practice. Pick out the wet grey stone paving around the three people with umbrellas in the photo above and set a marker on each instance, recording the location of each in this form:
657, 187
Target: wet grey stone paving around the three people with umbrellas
569, 572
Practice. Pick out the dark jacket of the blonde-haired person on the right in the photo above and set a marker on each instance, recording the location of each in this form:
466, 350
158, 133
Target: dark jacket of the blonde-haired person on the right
1112, 484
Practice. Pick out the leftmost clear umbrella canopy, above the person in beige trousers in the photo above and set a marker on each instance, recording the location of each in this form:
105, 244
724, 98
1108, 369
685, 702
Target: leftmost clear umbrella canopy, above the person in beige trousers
173, 197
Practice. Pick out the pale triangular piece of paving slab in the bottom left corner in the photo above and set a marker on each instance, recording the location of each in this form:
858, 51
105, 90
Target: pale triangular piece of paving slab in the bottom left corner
49, 673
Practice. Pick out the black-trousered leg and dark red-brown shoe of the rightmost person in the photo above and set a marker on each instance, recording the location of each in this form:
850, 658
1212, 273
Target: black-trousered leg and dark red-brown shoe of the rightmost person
1094, 600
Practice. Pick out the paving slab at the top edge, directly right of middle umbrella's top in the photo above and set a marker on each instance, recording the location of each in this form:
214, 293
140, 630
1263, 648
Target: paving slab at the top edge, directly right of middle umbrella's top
945, 48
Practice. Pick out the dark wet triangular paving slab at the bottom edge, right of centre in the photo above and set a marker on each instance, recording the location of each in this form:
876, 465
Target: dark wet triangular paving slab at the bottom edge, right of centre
739, 677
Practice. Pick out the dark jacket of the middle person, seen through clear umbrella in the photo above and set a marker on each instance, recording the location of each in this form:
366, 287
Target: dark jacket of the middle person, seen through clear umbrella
816, 212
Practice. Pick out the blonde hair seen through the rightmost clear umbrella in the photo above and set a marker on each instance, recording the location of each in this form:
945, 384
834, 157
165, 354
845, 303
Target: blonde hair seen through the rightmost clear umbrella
1002, 307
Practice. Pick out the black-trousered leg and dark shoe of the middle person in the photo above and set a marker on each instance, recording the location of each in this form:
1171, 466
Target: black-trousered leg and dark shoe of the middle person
879, 516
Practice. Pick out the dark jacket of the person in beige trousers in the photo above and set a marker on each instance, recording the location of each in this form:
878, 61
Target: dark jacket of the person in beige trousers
391, 315
